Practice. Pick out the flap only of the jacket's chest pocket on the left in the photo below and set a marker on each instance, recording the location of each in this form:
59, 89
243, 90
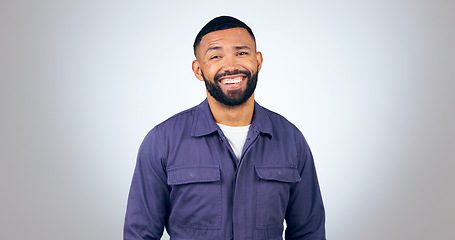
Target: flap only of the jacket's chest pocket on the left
193, 174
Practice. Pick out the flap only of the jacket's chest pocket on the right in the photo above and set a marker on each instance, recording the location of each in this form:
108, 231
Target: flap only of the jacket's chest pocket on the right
278, 173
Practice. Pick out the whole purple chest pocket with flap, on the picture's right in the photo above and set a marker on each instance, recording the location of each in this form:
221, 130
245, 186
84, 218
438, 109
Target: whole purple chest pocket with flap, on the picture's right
273, 192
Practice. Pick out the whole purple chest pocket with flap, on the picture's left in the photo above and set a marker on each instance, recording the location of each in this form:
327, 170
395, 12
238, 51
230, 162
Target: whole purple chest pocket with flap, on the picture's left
195, 196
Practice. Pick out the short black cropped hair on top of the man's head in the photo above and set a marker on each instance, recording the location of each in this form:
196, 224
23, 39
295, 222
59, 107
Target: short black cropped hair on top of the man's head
220, 23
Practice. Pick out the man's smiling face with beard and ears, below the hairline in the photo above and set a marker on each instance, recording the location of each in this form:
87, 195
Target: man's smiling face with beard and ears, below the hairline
228, 63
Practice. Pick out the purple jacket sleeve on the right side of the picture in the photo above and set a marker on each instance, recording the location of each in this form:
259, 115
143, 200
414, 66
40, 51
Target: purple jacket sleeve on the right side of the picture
305, 215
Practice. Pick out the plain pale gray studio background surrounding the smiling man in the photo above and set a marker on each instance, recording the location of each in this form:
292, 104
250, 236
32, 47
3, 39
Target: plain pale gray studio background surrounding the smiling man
371, 84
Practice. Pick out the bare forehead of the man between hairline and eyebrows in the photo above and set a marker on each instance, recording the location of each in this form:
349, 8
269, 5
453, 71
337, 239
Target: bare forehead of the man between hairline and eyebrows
227, 38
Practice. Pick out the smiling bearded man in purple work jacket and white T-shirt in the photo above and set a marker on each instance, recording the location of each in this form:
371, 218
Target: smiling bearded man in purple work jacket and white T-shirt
227, 168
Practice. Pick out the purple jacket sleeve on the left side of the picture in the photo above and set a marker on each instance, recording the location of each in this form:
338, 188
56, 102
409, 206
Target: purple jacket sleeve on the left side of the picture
148, 200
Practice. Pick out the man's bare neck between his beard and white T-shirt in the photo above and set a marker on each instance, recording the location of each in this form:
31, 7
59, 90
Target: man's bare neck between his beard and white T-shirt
236, 116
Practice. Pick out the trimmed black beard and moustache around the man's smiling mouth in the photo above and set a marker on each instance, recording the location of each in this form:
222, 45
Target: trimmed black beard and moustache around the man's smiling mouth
234, 97
